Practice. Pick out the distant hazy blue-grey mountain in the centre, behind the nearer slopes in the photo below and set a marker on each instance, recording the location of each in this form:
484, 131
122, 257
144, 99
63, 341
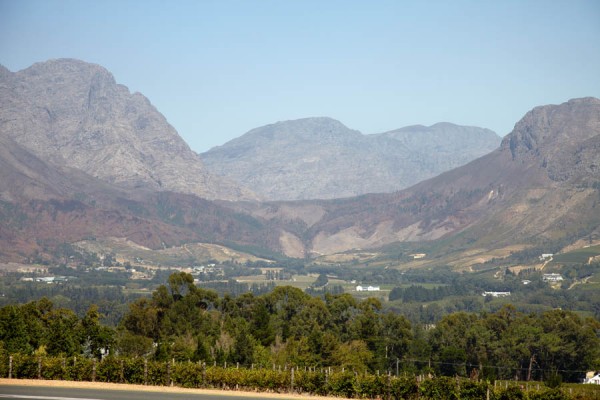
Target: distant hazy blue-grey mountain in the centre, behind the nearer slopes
320, 158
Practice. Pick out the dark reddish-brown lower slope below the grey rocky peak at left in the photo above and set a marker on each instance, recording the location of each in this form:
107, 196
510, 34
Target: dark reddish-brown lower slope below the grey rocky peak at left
43, 206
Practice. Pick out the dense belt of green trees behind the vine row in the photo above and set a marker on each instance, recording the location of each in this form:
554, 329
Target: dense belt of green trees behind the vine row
289, 328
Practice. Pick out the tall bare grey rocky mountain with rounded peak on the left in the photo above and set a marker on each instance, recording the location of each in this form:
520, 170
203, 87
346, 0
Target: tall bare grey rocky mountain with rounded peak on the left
72, 113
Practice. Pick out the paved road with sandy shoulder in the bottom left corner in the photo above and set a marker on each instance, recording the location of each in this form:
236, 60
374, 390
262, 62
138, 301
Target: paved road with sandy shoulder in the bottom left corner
58, 393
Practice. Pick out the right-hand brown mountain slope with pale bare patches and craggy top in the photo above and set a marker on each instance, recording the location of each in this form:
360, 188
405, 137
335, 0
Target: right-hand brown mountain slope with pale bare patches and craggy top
542, 185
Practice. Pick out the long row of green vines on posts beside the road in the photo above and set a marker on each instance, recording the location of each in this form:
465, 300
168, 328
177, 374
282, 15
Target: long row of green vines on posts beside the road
320, 381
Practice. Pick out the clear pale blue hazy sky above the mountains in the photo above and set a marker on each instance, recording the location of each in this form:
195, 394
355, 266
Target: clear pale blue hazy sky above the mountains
217, 69
